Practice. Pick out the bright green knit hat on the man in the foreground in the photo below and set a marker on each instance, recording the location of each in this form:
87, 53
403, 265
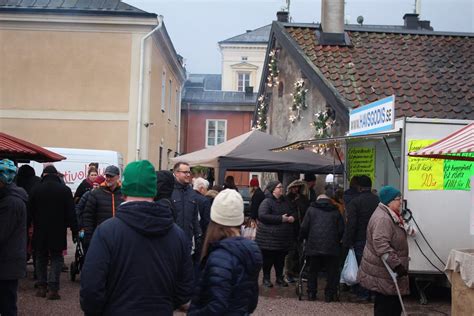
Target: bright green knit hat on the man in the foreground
139, 179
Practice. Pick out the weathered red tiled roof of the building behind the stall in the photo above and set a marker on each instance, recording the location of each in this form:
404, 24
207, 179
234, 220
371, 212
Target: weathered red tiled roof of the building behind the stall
431, 75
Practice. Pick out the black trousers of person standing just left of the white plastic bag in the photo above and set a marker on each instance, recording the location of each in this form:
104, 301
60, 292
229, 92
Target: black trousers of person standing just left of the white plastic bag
331, 265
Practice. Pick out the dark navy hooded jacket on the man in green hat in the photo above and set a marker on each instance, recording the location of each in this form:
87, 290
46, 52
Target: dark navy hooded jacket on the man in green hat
138, 263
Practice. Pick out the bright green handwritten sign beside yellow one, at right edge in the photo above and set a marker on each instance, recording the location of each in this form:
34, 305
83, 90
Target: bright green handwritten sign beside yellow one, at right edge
458, 173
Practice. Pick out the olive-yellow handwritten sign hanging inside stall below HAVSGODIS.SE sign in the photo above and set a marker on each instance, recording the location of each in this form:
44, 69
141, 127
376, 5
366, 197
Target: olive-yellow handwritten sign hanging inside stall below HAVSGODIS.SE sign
362, 162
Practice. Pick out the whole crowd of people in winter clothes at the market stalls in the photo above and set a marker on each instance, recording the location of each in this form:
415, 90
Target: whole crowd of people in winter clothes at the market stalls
163, 240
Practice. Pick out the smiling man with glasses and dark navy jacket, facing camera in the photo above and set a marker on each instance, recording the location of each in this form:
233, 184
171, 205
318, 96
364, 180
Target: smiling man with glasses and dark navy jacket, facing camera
186, 207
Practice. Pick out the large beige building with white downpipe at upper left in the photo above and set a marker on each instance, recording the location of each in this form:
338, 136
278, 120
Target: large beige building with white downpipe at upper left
110, 80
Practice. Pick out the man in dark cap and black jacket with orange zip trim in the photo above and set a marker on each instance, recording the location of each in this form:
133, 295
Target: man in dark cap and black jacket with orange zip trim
102, 202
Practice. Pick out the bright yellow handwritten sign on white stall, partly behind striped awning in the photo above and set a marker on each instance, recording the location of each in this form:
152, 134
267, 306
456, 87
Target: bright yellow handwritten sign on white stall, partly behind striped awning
424, 173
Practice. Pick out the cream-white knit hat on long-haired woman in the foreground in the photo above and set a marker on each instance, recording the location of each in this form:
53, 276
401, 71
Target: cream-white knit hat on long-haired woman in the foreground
228, 208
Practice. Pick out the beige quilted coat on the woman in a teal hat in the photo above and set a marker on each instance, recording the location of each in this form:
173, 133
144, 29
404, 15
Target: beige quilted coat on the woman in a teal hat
384, 235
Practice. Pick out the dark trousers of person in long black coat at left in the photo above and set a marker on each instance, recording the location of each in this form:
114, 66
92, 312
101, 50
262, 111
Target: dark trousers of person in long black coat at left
57, 261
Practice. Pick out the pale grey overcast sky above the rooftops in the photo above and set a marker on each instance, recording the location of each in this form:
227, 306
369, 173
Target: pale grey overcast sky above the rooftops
195, 26
